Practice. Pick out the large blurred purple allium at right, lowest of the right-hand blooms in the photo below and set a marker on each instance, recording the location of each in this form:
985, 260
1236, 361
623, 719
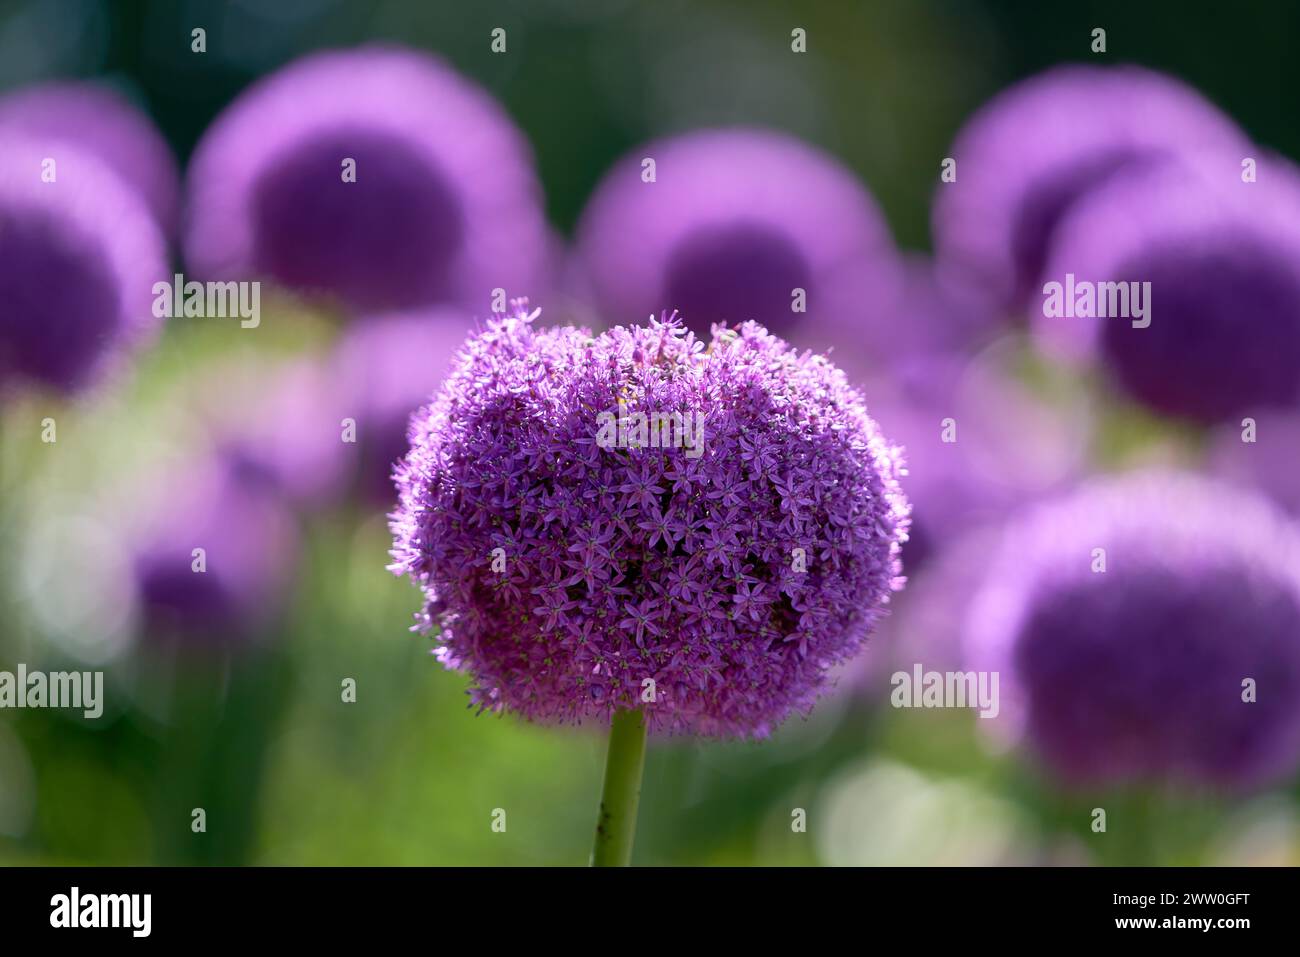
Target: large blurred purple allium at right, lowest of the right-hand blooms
1141, 670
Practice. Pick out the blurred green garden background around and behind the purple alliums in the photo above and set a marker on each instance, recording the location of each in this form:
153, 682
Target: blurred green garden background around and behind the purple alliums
262, 741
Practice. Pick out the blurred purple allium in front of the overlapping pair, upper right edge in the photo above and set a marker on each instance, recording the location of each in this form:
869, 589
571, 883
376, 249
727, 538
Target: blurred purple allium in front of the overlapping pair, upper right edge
1221, 328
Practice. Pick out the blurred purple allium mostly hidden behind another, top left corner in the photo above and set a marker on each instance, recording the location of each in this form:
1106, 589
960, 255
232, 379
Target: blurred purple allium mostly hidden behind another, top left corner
103, 123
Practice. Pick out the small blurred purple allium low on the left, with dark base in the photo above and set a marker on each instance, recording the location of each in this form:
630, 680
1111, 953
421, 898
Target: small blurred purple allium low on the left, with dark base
249, 545
